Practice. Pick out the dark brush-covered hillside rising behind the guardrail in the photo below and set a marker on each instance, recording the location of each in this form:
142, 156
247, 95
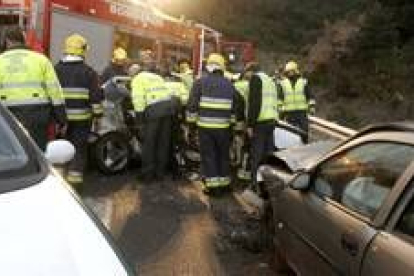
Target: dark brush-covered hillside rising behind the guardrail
359, 51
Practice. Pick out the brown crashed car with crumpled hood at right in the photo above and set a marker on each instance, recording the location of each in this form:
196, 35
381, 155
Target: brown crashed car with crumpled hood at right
345, 208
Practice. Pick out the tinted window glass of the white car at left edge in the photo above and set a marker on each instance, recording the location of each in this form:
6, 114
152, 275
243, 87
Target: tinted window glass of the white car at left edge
12, 154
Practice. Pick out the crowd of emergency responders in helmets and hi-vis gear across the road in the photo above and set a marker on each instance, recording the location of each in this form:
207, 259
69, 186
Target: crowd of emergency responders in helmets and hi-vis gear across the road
215, 106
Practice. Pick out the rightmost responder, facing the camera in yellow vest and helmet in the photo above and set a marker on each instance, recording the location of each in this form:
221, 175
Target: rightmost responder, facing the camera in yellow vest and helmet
296, 97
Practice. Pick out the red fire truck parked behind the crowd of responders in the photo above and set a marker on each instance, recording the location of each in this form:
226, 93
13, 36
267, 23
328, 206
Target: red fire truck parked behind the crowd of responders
133, 25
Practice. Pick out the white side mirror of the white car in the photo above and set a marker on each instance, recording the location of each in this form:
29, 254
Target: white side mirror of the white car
59, 152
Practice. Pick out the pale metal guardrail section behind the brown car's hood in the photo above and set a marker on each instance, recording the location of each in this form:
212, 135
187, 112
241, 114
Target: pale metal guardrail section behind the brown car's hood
331, 129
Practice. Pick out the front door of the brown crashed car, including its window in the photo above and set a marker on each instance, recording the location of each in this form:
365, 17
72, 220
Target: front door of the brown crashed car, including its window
333, 219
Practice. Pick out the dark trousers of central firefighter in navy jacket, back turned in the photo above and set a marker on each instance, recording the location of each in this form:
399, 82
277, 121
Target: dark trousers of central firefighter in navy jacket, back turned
215, 151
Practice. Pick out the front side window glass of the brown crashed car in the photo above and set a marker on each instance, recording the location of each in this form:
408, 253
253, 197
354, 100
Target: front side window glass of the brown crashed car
362, 177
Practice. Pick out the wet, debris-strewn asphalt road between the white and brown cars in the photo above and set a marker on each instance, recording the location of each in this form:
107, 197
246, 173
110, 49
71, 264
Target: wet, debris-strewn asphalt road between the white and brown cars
172, 228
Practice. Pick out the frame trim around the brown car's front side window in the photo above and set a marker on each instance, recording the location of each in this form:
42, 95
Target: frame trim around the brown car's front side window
379, 218
